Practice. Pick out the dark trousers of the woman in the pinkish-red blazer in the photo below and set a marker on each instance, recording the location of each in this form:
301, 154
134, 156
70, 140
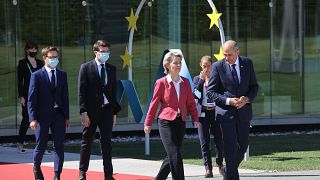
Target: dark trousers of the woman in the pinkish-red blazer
171, 133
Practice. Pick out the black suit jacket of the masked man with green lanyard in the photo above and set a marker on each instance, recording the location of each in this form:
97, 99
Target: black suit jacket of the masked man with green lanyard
91, 90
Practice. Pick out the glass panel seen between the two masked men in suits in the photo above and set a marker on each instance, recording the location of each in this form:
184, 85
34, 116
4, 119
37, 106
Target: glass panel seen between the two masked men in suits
70, 24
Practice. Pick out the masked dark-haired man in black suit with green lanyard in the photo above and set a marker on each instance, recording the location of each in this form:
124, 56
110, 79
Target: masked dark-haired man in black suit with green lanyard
98, 106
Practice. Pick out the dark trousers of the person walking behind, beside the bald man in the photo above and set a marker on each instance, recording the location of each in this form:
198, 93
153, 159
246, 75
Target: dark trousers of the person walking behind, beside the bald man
208, 125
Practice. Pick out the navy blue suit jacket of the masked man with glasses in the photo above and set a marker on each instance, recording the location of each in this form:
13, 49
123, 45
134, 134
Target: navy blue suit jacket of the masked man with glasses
42, 98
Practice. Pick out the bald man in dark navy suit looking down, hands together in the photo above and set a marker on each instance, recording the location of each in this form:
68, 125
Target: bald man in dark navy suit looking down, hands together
233, 87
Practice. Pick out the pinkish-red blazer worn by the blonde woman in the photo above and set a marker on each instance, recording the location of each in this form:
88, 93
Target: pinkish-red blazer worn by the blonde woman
165, 94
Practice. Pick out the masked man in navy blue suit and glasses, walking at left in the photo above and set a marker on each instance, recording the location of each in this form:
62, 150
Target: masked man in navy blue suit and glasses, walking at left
48, 107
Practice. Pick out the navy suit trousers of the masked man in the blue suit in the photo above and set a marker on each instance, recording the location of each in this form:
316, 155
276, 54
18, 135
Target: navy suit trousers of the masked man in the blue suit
58, 130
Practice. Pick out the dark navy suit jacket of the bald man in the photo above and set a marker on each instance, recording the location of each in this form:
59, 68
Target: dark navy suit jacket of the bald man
221, 86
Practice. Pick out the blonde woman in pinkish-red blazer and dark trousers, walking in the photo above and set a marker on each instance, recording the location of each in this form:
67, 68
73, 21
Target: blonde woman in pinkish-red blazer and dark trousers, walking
174, 94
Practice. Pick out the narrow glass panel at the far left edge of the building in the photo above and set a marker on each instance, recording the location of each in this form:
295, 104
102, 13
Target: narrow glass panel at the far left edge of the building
8, 95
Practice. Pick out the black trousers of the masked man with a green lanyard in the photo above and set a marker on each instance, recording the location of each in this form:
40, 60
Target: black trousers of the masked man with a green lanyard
103, 120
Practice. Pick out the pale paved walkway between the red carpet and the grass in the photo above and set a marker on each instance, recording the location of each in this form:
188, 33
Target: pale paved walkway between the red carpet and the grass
149, 168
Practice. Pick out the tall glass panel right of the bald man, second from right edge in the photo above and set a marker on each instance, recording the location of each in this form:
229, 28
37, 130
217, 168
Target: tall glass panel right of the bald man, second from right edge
286, 58
